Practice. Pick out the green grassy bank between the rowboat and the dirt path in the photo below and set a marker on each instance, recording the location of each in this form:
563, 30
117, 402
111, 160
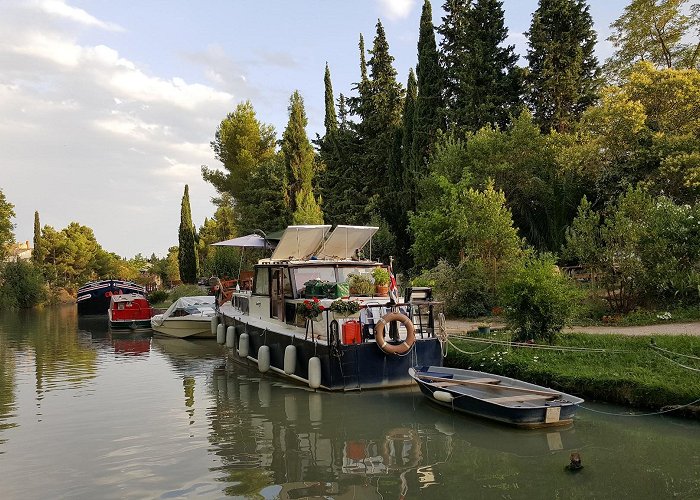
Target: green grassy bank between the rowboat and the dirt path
659, 373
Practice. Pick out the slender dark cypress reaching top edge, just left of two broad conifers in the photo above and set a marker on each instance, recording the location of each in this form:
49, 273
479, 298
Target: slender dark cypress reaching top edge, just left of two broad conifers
426, 120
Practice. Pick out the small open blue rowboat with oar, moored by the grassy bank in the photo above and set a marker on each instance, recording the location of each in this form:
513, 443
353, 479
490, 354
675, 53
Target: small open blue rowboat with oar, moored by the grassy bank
496, 397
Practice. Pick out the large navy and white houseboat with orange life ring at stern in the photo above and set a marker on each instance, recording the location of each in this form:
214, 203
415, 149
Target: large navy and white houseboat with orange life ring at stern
327, 350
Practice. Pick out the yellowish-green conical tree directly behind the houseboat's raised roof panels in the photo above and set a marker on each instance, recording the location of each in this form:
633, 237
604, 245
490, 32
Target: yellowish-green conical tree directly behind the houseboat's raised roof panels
299, 162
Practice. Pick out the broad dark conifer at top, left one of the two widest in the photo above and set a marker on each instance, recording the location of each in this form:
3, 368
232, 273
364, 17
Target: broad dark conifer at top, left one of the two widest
483, 85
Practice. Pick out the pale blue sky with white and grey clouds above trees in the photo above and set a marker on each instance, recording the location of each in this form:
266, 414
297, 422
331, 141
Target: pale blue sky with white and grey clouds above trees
108, 108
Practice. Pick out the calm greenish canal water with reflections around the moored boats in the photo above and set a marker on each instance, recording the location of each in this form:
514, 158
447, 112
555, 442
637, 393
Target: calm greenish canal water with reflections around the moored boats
85, 413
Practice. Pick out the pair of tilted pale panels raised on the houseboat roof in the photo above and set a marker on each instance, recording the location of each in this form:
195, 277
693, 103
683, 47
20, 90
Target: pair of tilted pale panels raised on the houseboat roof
304, 242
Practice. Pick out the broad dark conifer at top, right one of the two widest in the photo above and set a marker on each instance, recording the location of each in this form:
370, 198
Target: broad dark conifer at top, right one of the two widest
564, 75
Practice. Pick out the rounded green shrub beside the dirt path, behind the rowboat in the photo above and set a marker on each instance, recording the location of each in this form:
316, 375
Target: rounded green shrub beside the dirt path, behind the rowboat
539, 299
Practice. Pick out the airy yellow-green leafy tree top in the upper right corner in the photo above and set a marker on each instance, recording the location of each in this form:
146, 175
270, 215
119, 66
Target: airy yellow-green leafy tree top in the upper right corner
660, 32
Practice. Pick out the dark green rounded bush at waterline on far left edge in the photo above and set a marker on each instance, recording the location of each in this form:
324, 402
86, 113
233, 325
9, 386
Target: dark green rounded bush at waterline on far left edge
21, 285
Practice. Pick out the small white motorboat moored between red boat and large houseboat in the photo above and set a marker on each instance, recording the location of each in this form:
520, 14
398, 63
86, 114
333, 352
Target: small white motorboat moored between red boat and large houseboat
187, 317
